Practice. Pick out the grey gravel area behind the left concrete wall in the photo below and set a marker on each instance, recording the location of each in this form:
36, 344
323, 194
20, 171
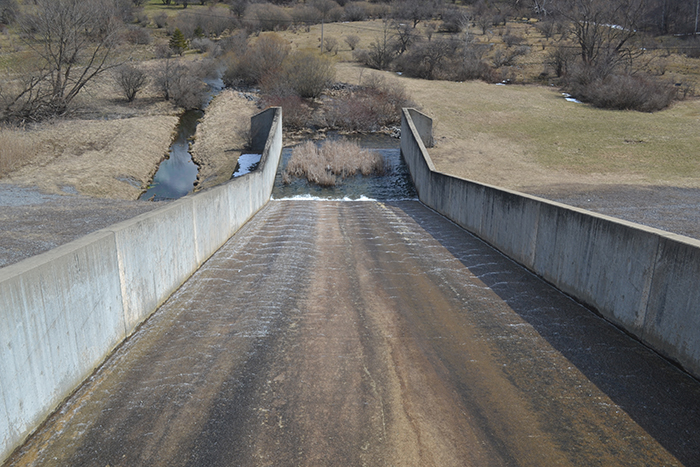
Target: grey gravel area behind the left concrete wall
32, 222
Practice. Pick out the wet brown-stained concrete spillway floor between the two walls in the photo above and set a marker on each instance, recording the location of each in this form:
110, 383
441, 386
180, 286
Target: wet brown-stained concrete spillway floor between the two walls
362, 333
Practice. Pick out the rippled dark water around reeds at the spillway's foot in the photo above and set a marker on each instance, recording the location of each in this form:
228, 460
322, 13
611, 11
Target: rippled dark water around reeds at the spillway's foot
395, 185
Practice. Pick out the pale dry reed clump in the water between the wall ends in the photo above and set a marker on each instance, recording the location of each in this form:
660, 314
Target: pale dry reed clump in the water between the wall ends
323, 165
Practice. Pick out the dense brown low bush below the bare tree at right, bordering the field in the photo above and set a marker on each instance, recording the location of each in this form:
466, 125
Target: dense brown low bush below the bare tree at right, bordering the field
620, 91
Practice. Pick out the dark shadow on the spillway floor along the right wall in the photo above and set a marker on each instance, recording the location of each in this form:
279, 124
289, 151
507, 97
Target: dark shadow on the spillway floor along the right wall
658, 396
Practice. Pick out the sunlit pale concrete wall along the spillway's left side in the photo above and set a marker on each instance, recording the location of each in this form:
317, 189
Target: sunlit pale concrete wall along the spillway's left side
64, 311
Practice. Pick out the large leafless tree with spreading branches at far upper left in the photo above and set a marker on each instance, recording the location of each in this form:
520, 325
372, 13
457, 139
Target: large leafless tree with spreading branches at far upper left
73, 42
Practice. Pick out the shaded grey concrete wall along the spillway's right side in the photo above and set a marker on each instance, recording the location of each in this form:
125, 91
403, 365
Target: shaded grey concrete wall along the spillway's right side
642, 279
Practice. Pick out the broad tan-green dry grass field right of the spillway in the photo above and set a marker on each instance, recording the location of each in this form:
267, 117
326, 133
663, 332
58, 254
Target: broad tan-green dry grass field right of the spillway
529, 136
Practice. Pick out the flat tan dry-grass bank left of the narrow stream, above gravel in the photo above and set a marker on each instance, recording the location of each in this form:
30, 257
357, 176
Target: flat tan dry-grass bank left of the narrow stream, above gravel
112, 159
